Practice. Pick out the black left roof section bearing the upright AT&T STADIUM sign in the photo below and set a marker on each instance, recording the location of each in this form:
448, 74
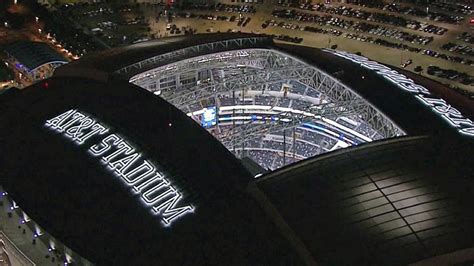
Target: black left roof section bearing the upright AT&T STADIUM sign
73, 188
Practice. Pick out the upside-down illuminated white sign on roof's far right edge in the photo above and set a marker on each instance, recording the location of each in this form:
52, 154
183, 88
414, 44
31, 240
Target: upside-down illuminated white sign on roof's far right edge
440, 106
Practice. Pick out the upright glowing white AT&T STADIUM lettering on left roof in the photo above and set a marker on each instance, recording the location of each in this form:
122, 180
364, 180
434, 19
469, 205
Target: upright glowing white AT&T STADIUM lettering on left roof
123, 159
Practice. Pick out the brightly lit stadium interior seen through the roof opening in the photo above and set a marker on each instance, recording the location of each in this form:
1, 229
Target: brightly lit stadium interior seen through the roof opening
267, 105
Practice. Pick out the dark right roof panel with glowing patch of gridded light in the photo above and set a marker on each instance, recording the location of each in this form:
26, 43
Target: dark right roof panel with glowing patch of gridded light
391, 202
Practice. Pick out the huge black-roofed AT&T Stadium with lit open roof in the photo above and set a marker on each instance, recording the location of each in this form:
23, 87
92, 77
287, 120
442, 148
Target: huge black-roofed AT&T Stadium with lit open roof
234, 149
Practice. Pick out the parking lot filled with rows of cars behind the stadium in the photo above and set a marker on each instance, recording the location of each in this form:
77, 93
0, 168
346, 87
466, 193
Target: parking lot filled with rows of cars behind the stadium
390, 33
